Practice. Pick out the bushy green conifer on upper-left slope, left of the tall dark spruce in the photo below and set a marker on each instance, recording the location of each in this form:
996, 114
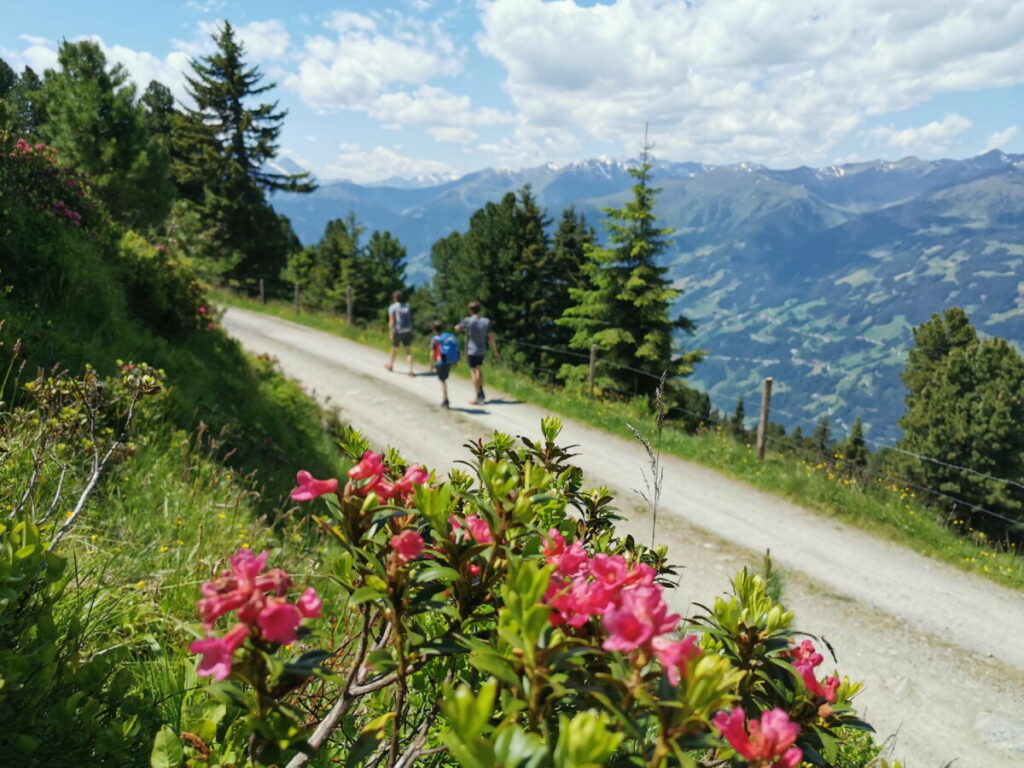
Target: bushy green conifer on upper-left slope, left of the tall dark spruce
95, 119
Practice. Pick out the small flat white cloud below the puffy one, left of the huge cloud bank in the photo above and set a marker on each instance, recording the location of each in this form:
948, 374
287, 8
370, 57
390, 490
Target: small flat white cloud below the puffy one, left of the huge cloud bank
449, 117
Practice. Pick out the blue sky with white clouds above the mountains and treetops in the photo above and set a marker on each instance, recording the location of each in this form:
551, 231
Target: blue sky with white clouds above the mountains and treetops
386, 89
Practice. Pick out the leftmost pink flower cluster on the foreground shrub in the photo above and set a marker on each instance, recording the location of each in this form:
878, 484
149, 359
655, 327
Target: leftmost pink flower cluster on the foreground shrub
263, 612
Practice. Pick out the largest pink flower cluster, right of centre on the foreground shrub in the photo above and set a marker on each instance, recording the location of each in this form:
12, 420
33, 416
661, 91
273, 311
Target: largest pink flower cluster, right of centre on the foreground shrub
631, 606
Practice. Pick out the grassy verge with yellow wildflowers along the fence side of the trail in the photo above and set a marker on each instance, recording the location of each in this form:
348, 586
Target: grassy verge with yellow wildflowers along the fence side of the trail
886, 510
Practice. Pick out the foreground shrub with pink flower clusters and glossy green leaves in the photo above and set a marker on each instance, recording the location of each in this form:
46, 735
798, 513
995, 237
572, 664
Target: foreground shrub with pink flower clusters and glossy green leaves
496, 619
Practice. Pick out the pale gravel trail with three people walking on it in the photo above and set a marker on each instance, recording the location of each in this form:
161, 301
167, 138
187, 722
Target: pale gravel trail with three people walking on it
942, 652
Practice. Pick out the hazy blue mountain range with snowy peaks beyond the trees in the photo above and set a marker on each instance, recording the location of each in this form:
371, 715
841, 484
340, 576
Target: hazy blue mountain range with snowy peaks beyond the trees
813, 276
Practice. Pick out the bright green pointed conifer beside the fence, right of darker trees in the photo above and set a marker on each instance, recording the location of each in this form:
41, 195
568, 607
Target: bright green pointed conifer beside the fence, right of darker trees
625, 307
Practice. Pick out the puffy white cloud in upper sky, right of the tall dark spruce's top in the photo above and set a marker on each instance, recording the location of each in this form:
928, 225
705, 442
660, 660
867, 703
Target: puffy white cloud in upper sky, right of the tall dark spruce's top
351, 69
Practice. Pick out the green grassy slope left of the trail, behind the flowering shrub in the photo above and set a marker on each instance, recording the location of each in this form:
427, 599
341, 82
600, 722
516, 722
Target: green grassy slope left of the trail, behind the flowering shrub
212, 461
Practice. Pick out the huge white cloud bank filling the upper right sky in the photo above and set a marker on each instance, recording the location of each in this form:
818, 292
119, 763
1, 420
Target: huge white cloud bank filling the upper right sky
774, 82
